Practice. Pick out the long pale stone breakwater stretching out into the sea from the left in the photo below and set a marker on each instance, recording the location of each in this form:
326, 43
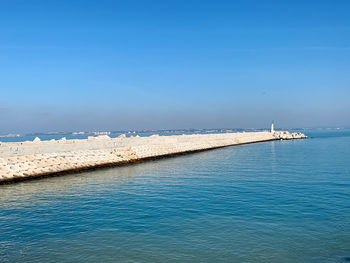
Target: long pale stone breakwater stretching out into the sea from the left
23, 160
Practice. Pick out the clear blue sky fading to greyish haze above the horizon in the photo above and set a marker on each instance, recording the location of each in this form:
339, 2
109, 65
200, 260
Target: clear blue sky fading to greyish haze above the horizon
110, 65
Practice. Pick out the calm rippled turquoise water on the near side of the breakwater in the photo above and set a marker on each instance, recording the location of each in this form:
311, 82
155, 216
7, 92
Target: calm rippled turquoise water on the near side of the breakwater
282, 201
